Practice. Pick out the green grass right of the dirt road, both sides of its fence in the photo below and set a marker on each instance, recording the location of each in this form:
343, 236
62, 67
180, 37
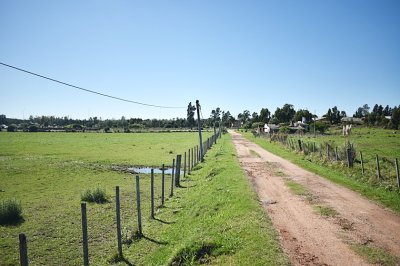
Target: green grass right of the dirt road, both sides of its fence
370, 141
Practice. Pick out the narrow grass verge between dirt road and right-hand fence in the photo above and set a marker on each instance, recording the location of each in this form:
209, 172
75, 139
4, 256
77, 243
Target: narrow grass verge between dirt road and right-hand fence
390, 199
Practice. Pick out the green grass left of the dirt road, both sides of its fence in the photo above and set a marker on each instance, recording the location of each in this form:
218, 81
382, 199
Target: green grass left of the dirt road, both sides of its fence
214, 219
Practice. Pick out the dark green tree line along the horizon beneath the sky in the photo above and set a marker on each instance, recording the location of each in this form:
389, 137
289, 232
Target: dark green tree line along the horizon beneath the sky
388, 117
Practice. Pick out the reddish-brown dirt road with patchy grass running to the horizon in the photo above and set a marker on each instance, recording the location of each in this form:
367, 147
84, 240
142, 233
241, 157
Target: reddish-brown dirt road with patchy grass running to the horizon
307, 236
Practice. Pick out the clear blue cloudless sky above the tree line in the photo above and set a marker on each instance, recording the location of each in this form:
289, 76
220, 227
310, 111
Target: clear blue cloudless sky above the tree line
235, 55
